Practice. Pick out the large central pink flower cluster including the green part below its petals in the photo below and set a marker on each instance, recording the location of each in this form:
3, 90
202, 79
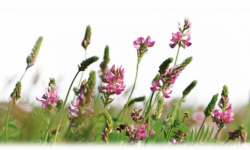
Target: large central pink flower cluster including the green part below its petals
112, 83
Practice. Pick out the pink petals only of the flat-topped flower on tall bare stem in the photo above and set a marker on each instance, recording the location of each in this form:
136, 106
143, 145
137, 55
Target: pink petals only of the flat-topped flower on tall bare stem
140, 43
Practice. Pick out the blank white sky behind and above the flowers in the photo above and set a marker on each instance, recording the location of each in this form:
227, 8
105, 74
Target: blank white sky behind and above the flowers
220, 49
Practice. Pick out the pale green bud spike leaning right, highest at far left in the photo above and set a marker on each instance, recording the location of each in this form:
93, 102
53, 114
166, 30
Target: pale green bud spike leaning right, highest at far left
32, 57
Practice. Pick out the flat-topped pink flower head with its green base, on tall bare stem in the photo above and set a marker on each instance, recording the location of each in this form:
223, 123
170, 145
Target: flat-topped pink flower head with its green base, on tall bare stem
142, 45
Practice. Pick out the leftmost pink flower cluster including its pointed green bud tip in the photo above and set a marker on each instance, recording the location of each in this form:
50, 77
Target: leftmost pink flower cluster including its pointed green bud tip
51, 97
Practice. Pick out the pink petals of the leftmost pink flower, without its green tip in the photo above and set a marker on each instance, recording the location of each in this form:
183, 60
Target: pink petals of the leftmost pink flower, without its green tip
50, 97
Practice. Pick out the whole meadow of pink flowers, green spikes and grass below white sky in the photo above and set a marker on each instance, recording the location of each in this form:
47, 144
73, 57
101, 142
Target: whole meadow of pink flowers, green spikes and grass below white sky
90, 122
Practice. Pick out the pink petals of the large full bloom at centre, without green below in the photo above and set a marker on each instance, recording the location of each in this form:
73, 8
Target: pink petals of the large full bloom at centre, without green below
113, 80
